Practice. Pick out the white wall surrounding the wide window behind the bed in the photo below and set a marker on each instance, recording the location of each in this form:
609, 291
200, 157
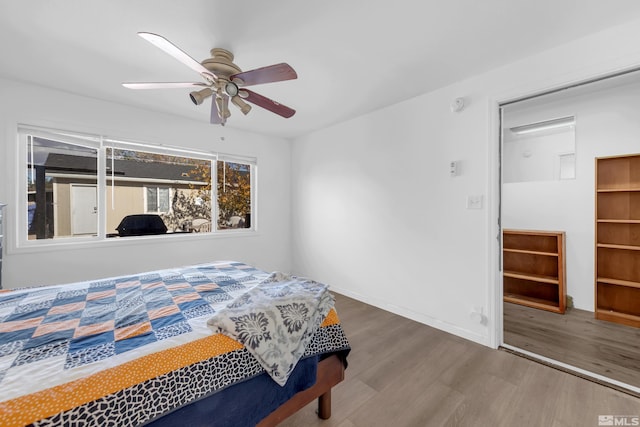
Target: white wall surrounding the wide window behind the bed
269, 248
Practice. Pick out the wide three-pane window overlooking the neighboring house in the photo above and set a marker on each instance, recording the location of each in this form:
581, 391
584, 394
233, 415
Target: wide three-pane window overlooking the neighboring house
83, 187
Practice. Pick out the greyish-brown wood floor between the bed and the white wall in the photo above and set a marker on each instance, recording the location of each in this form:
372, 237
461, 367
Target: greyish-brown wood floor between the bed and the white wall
403, 373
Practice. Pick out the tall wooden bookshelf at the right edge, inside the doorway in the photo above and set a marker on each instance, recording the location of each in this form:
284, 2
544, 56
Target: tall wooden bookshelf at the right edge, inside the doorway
617, 249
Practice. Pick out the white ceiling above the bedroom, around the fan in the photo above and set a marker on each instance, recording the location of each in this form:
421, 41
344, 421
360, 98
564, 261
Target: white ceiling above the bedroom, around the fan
351, 56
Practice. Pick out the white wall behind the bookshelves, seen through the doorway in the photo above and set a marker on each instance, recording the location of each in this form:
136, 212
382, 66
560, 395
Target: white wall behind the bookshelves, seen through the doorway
606, 124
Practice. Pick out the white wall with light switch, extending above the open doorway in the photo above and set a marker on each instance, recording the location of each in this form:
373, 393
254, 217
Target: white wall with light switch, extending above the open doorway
376, 215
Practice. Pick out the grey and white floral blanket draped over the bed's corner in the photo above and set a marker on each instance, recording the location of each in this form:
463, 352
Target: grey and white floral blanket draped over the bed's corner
276, 320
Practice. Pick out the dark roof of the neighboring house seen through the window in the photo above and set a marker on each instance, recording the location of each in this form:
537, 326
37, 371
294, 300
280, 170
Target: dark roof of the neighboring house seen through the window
70, 164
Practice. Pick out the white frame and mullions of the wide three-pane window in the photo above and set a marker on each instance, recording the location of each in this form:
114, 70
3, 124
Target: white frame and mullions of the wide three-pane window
101, 143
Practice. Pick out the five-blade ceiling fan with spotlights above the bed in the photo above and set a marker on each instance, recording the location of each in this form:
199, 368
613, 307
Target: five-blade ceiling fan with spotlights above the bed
223, 81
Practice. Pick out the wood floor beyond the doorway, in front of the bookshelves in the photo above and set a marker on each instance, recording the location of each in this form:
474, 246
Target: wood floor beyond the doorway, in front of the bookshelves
576, 338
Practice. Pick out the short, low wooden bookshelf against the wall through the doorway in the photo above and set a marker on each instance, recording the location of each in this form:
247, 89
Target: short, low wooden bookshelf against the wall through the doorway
534, 269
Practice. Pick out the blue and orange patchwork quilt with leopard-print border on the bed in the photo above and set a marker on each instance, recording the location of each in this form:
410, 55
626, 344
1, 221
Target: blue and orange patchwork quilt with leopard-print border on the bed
125, 350
